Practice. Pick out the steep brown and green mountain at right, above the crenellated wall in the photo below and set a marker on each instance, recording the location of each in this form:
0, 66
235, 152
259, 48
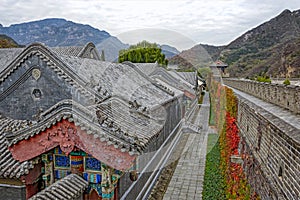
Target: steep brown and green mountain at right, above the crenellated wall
272, 49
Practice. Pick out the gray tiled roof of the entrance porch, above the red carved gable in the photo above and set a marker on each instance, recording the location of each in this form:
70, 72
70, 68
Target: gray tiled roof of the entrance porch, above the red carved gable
128, 127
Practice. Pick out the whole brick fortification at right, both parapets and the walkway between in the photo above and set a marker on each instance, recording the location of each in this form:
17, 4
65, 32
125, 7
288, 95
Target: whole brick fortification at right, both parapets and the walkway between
269, 123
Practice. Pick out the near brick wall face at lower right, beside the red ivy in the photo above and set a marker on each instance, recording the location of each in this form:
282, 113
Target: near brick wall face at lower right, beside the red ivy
271, 152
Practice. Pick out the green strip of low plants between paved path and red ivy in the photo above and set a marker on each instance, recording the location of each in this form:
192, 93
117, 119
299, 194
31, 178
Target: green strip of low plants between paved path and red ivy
213, 187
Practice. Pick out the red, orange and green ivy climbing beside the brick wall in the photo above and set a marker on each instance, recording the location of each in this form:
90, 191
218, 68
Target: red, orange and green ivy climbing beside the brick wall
236, 186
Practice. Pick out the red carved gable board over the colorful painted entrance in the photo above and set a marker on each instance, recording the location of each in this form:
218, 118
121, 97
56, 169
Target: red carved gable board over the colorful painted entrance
66, 135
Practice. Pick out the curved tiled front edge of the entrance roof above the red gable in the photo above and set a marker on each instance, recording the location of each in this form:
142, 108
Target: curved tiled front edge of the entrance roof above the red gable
85, 118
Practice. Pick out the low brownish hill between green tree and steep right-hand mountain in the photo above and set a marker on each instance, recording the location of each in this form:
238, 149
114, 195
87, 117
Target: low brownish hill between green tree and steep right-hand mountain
201, 55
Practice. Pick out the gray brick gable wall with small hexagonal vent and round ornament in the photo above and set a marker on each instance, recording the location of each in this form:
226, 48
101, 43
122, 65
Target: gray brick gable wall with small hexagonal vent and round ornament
22, 96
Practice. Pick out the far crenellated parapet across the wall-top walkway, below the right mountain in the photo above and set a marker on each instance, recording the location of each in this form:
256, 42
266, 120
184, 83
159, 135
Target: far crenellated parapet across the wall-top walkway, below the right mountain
282, 95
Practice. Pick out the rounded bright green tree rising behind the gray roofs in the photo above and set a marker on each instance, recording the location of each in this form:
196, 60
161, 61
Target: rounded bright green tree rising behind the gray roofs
143, 52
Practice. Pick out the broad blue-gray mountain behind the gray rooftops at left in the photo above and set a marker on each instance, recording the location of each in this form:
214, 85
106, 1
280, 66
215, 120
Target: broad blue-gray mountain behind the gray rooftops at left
54, 32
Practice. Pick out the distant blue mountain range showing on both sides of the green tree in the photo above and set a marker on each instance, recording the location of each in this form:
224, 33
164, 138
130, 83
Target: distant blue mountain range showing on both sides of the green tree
60, 32
